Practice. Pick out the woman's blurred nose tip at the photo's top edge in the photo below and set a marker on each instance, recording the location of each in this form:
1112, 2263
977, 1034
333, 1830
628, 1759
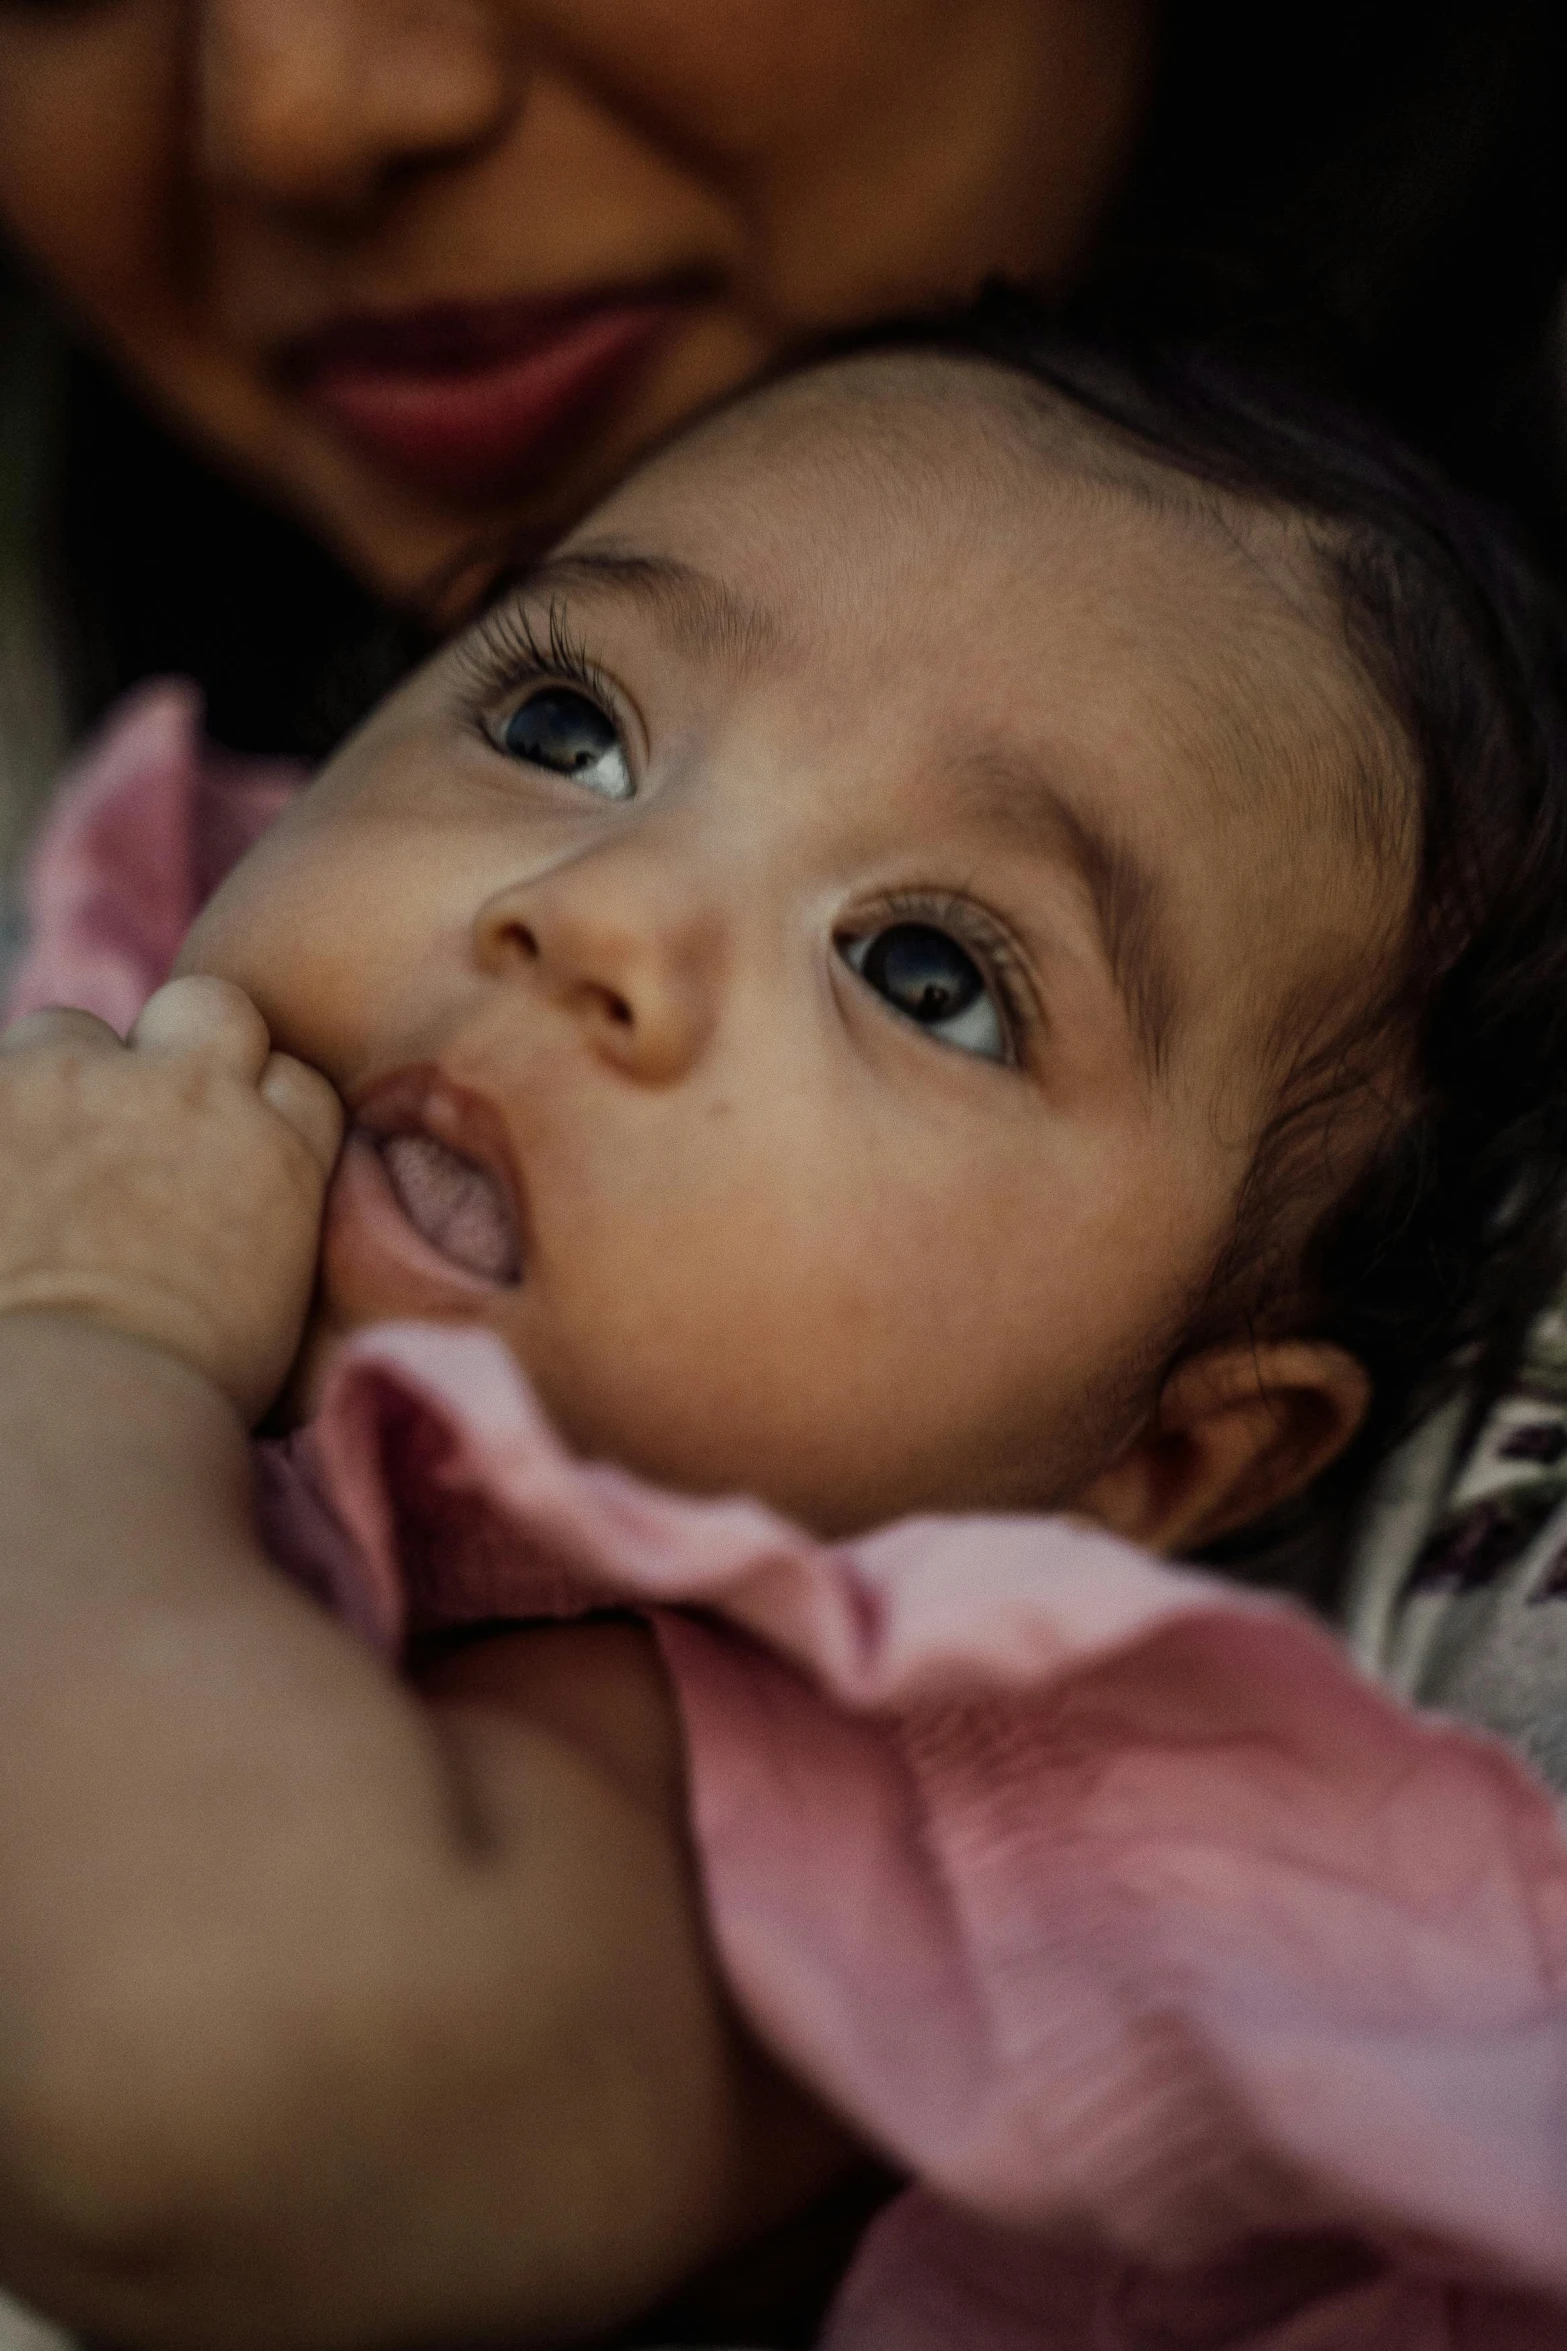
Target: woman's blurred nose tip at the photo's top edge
321, 105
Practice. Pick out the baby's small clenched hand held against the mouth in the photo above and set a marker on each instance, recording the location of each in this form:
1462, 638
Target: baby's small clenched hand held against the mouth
170, 1188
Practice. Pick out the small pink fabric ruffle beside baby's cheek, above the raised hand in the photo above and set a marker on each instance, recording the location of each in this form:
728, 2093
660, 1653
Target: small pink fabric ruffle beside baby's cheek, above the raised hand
142, 831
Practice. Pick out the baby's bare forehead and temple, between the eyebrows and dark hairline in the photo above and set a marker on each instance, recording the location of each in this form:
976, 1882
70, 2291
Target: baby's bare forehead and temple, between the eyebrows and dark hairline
934, 561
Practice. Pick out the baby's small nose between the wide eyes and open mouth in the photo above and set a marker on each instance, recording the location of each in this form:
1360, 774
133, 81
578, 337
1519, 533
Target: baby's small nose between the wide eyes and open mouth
638, 972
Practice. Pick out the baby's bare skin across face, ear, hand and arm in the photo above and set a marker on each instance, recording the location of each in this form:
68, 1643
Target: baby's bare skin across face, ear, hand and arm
347, 2011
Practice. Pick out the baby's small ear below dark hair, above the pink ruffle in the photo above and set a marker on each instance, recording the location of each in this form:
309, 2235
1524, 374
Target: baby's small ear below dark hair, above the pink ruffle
1237, 1433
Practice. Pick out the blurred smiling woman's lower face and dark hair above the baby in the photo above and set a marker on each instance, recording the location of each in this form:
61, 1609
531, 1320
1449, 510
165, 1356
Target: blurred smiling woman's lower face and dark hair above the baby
424, 276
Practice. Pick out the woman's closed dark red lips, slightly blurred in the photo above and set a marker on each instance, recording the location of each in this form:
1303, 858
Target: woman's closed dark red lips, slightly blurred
478, 401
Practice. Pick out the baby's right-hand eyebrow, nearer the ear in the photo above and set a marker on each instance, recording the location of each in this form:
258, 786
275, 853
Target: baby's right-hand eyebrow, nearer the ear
1129, 899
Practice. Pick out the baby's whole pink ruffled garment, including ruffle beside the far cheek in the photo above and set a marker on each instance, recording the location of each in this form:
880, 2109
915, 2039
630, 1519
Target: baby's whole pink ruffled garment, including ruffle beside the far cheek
1213, 2000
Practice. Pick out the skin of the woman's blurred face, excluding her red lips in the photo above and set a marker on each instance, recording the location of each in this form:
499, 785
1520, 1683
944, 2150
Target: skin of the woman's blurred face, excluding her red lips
206, 180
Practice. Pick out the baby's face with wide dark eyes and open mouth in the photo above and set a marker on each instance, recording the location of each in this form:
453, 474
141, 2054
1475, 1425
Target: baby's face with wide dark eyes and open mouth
802, 972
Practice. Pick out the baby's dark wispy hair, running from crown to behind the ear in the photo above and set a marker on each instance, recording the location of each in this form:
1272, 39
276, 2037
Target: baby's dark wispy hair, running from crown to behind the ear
1432, 1264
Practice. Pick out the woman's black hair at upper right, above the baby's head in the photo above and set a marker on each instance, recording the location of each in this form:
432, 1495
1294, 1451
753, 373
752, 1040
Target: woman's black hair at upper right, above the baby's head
1373, 196
